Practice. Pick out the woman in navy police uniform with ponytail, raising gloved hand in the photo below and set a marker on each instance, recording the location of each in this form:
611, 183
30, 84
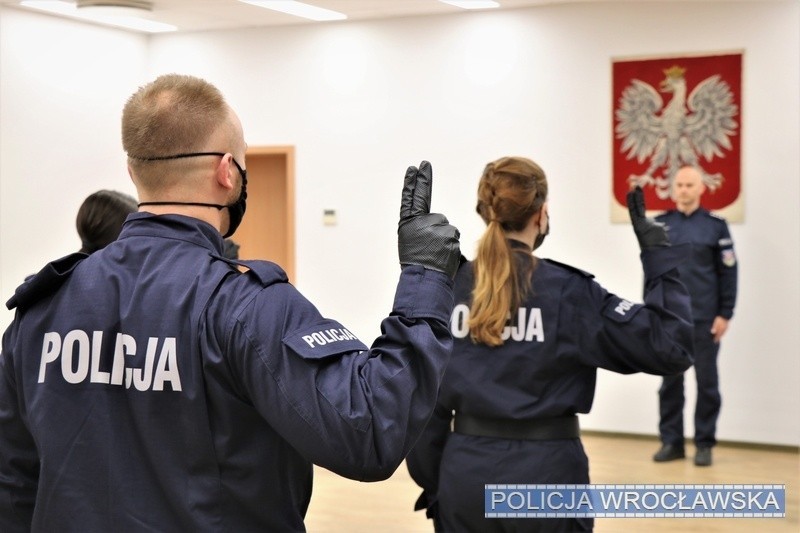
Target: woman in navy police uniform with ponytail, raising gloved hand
529, 335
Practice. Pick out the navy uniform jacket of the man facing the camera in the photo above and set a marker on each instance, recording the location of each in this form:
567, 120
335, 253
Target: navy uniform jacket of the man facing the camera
710, 271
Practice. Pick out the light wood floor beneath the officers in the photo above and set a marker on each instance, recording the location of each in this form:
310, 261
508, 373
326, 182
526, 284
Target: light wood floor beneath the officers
342, 505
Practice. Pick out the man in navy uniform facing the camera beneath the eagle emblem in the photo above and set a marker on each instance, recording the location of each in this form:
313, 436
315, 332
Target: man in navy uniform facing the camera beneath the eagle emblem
710, 274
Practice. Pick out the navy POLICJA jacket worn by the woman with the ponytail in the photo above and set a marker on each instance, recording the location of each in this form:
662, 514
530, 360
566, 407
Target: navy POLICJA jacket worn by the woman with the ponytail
567, 328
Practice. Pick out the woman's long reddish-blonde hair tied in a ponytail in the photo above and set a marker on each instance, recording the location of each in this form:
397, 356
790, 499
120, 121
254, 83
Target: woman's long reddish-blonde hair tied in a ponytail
511, 190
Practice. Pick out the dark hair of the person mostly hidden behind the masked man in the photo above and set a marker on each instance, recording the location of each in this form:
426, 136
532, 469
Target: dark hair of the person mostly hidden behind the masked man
100, 218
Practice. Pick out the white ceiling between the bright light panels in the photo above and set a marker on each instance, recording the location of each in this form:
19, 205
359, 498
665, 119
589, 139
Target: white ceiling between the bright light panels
203, 15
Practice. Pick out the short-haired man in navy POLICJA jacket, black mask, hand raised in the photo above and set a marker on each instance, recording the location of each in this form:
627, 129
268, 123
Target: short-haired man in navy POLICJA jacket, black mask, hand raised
152, 386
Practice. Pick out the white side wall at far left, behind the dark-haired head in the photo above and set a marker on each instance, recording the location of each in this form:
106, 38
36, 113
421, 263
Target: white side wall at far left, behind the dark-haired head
62, 89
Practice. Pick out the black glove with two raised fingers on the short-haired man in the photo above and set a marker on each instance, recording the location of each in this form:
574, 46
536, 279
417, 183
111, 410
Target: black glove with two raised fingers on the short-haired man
425, 238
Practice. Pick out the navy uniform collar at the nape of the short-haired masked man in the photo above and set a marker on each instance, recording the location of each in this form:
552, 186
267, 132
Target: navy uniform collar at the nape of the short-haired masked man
173, 226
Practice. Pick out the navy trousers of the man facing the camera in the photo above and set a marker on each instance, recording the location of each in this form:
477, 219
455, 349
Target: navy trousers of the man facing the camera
709, 401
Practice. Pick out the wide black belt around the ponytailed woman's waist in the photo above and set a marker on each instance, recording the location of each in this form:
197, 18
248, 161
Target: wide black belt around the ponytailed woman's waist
560, 427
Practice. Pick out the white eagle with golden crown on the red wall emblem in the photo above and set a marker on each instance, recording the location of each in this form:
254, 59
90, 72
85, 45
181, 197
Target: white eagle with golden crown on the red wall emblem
678, 133
